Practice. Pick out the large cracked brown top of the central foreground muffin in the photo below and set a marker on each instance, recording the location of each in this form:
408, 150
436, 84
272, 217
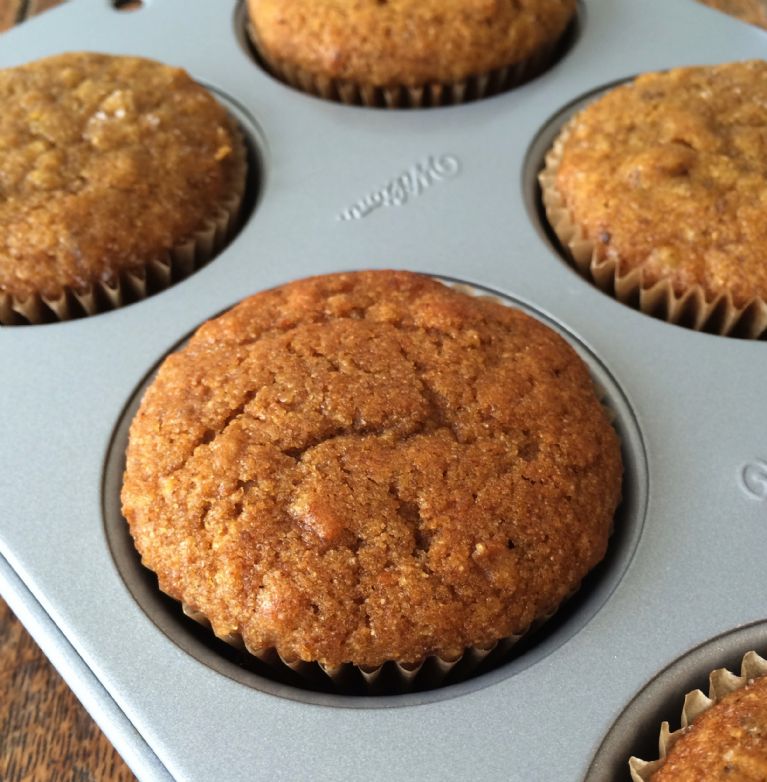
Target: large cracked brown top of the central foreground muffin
371, 466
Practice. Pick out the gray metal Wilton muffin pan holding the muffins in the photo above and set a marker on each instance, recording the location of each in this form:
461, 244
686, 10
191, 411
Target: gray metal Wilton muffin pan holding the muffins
687, 560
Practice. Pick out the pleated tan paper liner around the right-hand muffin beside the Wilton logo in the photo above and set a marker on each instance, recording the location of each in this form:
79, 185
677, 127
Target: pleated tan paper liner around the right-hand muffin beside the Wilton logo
691, 308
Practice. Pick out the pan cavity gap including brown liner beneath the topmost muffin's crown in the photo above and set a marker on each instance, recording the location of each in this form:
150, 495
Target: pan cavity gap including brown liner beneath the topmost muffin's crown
431, 95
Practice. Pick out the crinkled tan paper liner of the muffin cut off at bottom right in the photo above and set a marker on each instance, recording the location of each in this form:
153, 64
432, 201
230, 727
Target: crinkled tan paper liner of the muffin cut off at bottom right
721, 683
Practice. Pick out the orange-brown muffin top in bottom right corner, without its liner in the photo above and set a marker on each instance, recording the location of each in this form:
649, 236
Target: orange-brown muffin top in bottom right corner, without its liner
727, 743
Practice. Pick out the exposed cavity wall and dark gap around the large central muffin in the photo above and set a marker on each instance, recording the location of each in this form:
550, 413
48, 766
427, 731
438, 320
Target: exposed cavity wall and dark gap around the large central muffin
308, 682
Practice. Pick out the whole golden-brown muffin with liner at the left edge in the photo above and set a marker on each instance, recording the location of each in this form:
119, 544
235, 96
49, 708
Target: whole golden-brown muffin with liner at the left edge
118, 175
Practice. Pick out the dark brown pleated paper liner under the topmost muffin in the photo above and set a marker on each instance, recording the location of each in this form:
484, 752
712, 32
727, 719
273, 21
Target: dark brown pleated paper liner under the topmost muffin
450, 93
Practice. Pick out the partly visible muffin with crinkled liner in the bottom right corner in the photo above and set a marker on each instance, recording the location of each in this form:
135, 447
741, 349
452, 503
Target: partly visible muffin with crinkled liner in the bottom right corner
724, 736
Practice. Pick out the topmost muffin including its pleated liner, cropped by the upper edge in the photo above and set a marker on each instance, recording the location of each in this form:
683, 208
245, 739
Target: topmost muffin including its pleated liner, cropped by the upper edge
405, 52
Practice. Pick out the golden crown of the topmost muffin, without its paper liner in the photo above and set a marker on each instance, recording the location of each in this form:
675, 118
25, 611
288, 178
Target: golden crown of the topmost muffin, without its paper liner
406, 42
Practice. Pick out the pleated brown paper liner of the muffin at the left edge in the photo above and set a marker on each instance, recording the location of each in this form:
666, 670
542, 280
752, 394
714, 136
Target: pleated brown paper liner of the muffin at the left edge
156, 275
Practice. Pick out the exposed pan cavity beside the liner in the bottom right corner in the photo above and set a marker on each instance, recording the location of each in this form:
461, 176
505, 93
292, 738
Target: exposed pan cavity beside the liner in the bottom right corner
635, 732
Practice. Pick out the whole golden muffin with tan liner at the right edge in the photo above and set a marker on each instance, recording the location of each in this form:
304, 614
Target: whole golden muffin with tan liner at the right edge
657, 192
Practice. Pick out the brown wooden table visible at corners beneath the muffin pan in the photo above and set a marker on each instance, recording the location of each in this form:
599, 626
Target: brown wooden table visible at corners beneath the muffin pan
45, 734
